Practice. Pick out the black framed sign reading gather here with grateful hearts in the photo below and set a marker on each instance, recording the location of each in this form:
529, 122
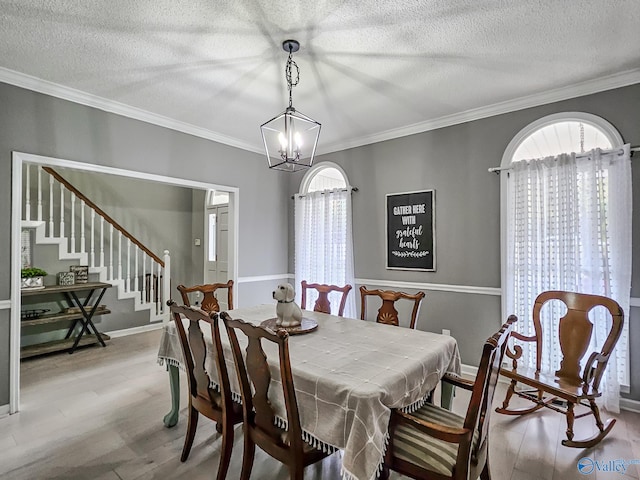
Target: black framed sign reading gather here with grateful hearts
411, 240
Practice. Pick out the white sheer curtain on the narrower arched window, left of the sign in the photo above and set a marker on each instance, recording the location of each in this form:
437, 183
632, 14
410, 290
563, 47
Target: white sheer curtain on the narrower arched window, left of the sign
324, 244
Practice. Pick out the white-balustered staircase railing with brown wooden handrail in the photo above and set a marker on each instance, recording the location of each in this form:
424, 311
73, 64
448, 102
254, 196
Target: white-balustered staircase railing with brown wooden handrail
63, 216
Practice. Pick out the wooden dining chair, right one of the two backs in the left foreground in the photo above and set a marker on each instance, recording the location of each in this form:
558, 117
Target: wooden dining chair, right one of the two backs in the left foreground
286, 445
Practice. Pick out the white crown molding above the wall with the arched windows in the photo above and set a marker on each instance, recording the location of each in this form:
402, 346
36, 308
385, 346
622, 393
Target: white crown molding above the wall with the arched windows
588, 87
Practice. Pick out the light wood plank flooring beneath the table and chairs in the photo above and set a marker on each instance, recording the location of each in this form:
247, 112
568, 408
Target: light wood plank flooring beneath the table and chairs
97, 414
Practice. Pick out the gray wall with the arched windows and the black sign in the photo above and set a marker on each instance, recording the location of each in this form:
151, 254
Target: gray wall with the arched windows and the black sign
454, 162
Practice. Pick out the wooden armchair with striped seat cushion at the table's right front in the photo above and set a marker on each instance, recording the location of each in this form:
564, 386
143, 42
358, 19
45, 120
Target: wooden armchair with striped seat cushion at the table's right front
433, 443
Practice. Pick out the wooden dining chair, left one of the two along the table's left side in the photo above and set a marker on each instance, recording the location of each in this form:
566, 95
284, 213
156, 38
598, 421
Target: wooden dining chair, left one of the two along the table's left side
216, 405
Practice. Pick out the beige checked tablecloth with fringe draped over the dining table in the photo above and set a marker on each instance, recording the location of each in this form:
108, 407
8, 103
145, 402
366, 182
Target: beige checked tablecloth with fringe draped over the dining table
348, 375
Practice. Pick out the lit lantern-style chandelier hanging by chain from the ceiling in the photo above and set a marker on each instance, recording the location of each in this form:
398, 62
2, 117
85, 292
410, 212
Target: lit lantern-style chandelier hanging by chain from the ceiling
290, 138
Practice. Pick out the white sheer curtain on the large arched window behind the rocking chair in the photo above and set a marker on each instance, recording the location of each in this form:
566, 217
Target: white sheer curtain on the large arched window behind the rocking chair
569, 228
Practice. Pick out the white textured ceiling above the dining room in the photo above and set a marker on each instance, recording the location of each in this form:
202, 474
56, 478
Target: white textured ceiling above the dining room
368, 68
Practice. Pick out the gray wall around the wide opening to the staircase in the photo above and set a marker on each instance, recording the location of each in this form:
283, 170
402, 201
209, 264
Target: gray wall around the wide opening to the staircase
43, 125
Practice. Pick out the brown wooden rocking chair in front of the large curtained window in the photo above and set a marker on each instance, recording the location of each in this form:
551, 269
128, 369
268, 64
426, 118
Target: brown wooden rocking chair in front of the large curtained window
573, 384
